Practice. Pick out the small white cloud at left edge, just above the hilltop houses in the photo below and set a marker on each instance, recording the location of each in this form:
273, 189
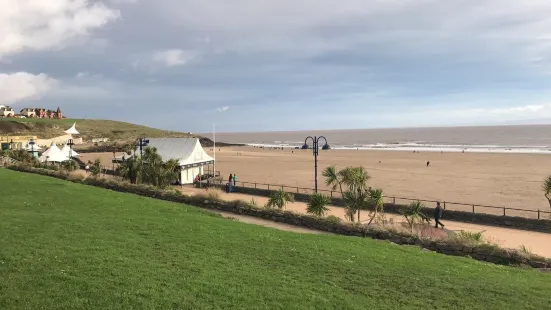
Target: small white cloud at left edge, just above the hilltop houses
23, 86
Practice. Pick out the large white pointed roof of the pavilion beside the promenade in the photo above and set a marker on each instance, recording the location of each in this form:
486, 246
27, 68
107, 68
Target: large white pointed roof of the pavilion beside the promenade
188, 151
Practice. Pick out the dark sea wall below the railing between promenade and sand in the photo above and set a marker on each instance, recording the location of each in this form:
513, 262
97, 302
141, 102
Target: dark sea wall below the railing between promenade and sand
459, 216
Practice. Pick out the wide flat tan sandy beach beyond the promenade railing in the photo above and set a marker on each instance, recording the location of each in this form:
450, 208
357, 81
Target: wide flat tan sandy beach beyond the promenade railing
501, 180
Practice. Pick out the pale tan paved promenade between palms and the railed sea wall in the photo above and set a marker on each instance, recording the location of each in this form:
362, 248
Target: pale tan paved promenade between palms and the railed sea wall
538, 243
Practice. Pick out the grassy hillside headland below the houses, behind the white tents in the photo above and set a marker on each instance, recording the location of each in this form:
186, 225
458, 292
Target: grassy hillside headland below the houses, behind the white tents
48, 128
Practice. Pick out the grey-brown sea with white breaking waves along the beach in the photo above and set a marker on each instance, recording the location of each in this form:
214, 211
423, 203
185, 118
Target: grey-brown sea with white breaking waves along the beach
483, 139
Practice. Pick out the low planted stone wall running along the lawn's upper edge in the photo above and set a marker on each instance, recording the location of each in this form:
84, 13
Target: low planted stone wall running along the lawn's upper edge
481, 252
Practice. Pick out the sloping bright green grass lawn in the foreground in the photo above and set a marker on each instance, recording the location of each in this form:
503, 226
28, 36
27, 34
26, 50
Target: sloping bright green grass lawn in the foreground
70, 246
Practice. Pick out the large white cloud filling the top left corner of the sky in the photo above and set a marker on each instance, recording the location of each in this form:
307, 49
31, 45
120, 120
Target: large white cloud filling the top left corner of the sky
48, 24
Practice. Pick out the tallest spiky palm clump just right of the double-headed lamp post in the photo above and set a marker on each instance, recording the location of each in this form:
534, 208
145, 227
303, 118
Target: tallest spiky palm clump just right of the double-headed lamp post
354, 180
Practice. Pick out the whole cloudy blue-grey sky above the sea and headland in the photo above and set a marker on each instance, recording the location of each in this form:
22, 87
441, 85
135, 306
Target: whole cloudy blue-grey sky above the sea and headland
263, 65
